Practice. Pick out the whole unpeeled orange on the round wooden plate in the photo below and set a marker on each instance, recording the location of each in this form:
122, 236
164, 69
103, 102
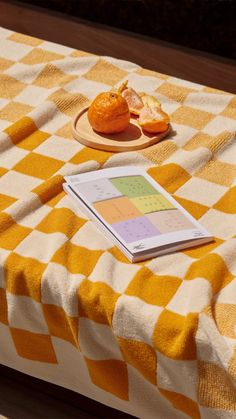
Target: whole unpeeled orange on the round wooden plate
109, 113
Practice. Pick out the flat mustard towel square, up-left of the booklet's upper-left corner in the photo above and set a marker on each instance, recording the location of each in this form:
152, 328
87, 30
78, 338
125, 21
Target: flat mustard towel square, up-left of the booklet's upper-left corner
38, 166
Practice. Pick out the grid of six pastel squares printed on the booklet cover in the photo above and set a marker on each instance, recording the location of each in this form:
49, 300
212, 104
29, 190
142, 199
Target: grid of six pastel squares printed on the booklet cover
134, 208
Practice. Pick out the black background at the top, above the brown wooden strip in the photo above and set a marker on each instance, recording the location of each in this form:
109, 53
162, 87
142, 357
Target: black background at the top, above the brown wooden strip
206, 25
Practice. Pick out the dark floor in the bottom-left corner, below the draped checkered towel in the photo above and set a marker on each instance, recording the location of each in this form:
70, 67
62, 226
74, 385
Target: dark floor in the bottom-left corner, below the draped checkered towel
25, 397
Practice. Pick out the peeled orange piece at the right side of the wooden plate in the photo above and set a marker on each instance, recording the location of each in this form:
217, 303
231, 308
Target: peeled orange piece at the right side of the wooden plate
153, 119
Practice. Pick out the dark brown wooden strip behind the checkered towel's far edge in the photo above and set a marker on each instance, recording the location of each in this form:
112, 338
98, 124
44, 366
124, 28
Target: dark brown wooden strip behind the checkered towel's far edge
192, 65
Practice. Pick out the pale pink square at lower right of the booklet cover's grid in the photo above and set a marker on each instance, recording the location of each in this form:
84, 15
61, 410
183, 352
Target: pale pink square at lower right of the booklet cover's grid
169, 221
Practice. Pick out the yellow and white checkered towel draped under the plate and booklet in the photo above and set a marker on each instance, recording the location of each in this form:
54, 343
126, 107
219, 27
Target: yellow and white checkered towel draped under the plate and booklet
155, 339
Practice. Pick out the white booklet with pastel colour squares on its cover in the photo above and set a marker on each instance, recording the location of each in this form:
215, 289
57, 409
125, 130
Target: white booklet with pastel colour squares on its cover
135, 212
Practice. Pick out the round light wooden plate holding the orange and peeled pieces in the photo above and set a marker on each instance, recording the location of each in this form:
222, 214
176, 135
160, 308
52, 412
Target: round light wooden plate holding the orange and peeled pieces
133, 138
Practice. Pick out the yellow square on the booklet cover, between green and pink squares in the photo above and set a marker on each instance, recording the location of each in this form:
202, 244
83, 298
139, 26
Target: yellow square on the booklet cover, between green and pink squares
151, 203
